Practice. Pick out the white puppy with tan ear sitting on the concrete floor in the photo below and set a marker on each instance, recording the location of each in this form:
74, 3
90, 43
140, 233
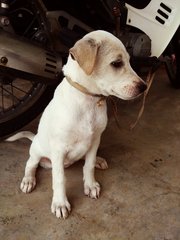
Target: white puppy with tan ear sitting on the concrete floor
71, 125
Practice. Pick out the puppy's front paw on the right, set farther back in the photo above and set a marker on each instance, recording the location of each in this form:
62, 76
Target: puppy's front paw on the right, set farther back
93, 190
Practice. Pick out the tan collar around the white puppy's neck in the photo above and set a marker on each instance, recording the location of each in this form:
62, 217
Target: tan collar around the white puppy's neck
85, 91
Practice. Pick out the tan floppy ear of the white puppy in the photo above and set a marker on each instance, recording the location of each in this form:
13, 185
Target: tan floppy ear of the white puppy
85, 52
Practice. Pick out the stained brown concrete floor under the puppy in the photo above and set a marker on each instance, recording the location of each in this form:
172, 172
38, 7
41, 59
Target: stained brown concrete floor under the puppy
140, 197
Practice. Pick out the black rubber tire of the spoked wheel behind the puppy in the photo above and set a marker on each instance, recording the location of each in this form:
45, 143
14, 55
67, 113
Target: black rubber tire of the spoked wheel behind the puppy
31, 107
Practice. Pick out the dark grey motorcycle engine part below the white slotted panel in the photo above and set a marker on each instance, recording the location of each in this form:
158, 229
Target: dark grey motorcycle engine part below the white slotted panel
137, 44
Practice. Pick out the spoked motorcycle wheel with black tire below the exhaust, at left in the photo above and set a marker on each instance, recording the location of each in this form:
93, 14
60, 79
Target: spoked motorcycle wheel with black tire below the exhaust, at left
21, 101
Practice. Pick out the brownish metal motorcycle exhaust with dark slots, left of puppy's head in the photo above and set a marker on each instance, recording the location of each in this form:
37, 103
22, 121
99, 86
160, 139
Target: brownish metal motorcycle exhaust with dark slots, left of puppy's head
21, 58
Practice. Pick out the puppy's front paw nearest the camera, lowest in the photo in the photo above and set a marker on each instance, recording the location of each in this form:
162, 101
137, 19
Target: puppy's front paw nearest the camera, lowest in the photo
61, 210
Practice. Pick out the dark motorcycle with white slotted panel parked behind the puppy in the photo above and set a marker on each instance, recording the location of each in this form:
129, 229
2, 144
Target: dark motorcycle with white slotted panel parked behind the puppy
35, 37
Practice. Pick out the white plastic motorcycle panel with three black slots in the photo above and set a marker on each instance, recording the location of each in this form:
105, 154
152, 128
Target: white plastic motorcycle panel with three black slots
159, 20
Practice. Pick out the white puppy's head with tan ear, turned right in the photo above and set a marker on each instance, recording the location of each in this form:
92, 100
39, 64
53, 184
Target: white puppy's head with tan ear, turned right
104, 61
